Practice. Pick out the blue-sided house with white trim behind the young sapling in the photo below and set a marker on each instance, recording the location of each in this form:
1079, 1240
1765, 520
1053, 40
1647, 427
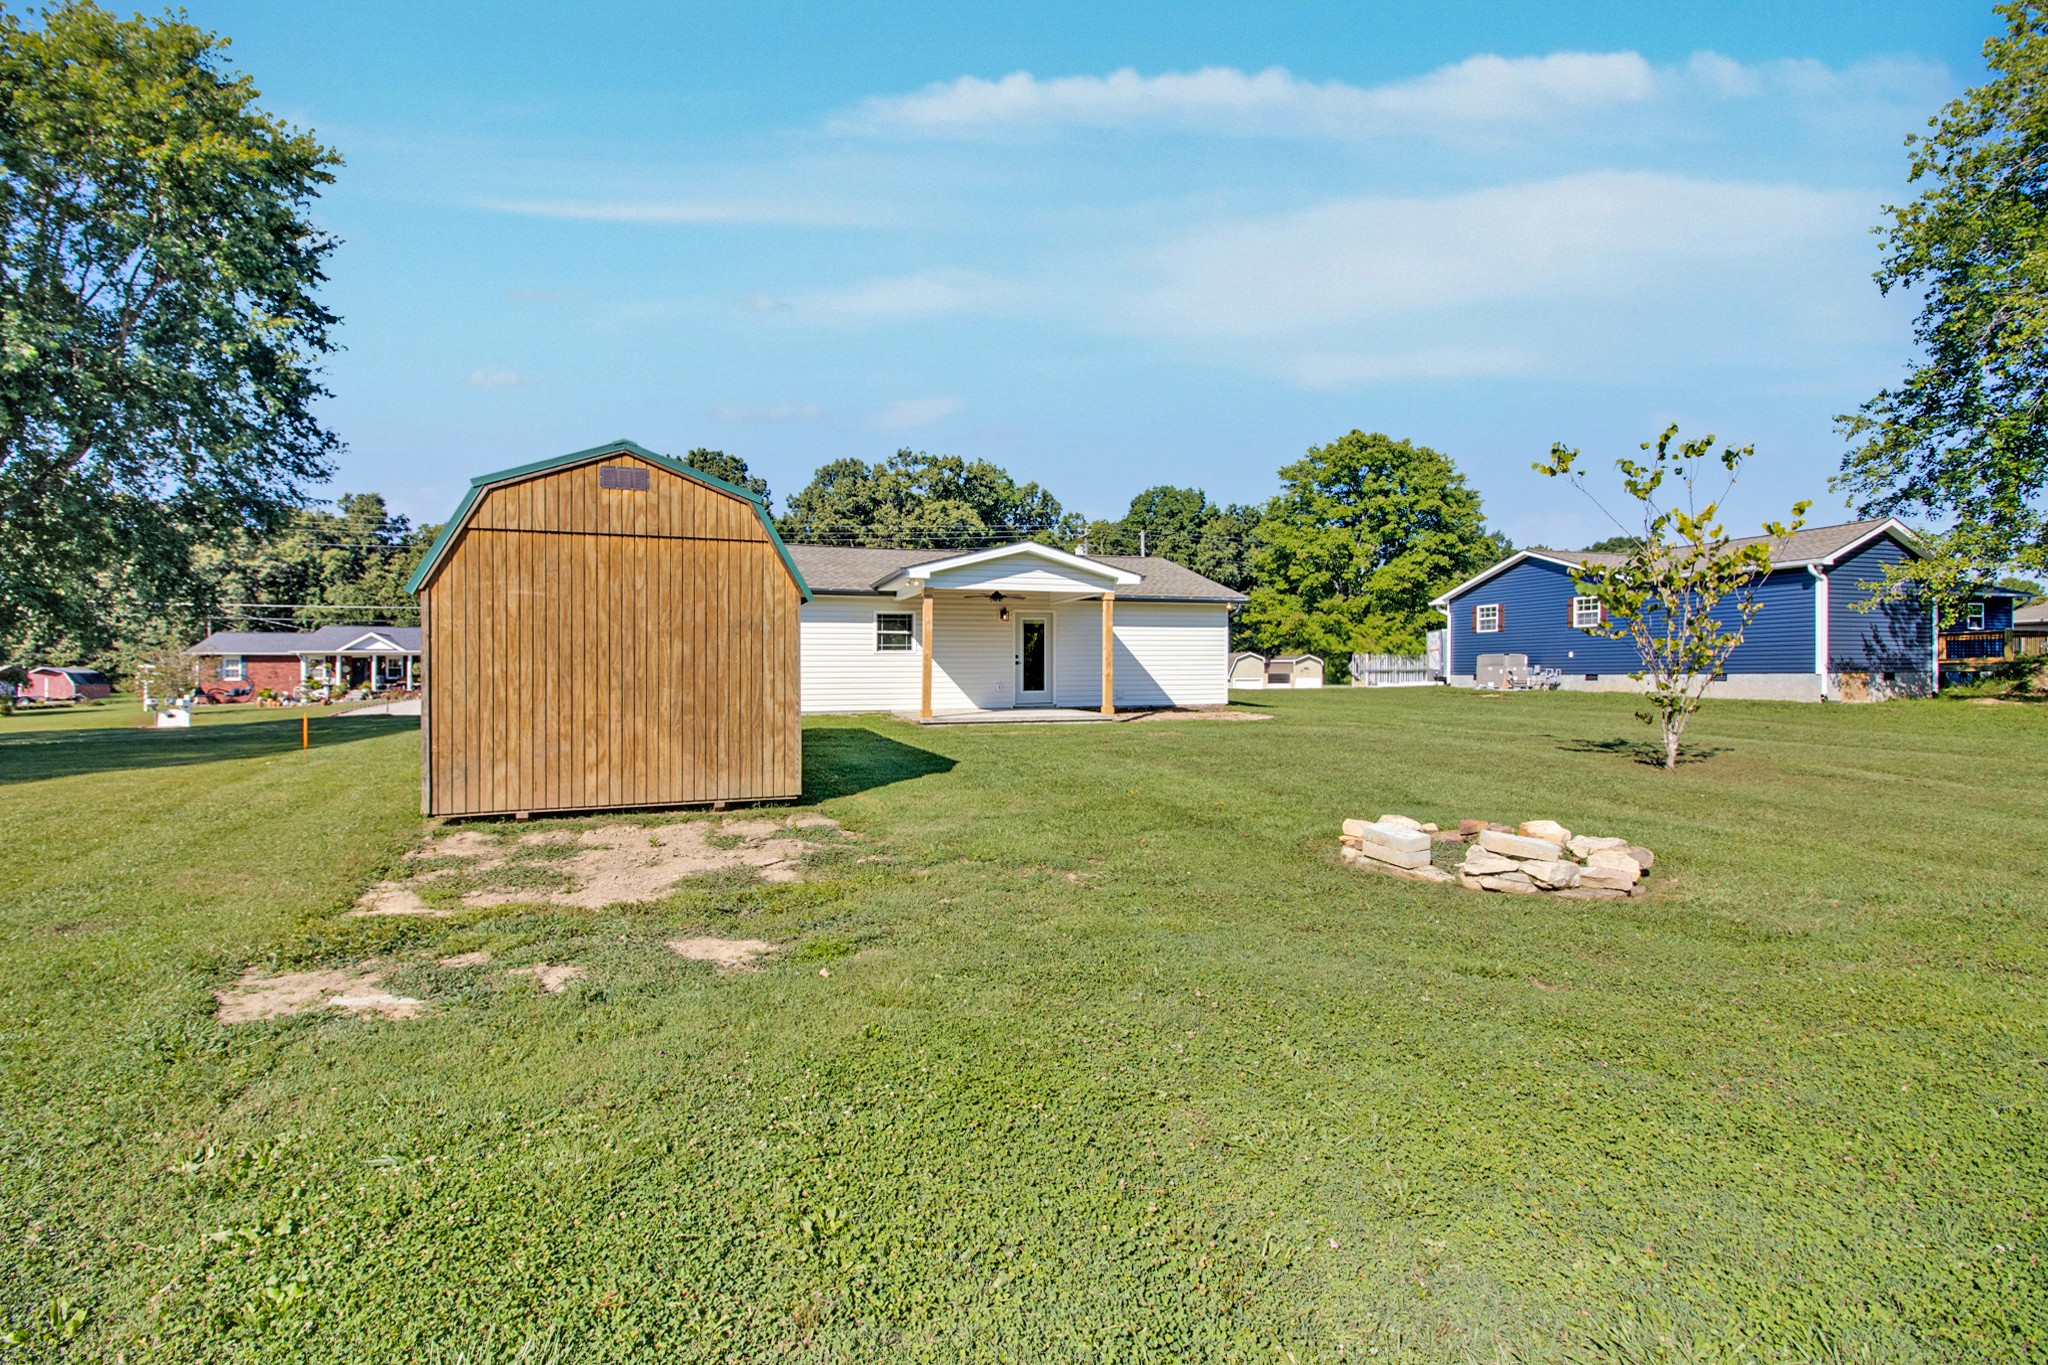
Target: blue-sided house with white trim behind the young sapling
1809, 640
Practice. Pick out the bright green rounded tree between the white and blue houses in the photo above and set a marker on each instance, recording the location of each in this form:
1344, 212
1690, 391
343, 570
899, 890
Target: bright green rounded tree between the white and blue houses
1363, 535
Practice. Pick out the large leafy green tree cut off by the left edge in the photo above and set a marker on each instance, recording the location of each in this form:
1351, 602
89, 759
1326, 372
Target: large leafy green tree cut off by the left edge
159, 328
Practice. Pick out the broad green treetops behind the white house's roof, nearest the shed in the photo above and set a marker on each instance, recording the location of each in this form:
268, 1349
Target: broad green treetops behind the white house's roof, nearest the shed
919, 498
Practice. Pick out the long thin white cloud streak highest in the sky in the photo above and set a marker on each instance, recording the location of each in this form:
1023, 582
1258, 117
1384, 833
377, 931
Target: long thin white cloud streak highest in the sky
1486, 93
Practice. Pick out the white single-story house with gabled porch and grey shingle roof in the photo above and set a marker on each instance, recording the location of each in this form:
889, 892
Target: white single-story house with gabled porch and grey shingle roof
1021, 625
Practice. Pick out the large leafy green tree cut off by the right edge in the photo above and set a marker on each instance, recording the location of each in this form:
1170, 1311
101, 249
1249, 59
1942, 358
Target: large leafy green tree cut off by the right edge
1965, 437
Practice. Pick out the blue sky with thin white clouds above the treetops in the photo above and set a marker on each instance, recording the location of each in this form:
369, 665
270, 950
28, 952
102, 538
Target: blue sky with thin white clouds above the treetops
1109, 247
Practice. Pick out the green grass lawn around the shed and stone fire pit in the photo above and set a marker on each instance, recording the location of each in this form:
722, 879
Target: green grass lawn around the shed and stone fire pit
1089, 1049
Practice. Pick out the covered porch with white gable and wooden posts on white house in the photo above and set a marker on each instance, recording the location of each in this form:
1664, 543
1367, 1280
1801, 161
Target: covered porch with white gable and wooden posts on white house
1023, 629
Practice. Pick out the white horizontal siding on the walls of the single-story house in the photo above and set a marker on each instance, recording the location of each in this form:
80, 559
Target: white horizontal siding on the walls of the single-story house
1168, 654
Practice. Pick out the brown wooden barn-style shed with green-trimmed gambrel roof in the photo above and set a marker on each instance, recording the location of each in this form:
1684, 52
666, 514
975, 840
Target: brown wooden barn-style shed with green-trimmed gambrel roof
601, 631
